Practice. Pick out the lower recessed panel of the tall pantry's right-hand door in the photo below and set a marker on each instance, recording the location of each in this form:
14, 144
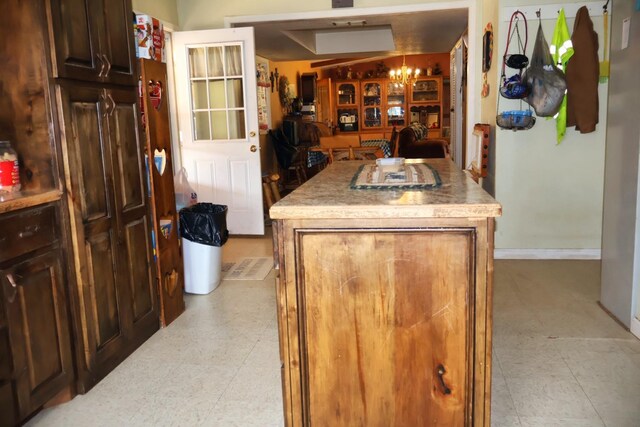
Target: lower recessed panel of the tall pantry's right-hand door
140, 280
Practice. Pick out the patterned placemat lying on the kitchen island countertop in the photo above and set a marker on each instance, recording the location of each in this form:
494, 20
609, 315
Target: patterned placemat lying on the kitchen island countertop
406, 177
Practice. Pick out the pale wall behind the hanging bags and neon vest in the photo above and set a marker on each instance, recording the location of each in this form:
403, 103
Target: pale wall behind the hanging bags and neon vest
551, 194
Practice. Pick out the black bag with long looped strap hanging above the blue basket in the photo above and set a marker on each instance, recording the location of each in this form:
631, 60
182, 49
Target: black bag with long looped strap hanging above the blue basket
514, 87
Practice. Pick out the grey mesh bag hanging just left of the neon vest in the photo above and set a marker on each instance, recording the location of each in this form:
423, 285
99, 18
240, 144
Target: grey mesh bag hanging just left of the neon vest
547, 82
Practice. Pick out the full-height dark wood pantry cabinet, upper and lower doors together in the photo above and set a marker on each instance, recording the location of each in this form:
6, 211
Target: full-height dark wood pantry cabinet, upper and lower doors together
104, 178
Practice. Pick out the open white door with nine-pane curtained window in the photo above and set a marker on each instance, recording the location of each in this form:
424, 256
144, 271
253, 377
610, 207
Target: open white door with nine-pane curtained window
215, 75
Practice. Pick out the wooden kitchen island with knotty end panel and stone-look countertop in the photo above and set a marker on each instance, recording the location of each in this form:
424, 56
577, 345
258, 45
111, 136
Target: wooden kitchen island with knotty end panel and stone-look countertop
384, 301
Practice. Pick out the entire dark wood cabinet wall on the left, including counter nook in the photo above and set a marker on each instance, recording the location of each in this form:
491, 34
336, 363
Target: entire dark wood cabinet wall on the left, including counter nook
77, 287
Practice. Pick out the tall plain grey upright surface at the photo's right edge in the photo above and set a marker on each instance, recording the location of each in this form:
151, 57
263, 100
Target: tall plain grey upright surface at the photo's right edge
620, 250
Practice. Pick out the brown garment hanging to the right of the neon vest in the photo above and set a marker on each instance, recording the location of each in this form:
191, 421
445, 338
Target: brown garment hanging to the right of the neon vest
583, 75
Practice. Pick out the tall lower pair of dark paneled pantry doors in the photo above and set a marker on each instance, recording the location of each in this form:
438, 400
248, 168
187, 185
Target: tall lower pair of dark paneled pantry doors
110, 217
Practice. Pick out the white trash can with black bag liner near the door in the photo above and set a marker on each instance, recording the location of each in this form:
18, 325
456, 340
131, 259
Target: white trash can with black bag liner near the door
203, 228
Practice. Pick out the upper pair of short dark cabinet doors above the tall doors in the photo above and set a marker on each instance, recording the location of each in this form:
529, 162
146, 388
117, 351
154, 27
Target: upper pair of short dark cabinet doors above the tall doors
92, 40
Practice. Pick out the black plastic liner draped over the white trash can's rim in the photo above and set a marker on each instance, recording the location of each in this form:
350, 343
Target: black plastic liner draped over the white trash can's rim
204, 223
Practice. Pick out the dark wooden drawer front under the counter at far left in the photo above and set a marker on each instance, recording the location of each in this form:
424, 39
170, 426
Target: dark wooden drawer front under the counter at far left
26, 231
